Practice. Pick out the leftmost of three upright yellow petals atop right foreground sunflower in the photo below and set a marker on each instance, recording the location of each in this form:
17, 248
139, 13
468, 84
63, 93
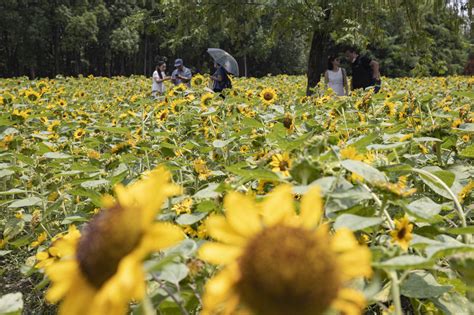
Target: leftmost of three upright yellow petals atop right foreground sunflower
242, 214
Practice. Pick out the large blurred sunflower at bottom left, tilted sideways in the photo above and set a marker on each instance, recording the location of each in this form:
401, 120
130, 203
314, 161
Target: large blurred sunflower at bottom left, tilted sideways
101, 270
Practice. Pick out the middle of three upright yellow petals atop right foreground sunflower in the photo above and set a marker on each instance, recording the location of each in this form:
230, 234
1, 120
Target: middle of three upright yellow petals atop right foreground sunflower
278, 206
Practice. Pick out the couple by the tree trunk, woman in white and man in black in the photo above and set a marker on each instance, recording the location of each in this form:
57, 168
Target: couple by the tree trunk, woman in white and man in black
365, 73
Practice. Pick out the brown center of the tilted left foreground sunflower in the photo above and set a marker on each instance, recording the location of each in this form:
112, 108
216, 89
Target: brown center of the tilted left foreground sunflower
109, 237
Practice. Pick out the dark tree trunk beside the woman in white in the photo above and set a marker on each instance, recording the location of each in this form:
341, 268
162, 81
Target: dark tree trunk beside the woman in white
318, 56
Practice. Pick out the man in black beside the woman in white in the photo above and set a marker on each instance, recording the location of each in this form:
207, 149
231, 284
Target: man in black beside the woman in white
365, 71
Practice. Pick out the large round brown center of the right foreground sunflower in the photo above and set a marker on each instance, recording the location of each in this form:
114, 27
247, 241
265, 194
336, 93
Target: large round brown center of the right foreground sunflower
288, 270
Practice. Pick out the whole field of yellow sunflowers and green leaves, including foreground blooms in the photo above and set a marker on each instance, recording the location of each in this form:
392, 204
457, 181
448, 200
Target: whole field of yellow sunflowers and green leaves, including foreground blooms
258, 201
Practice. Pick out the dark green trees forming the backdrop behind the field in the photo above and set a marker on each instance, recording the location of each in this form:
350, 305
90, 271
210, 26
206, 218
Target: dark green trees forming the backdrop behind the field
123, 37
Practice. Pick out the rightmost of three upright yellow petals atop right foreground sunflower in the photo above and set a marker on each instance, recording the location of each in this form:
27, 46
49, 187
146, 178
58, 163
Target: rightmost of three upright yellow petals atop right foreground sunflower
311, 207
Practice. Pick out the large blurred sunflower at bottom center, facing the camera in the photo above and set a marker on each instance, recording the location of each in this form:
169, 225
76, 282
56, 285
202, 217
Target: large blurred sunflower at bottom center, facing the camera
278, 262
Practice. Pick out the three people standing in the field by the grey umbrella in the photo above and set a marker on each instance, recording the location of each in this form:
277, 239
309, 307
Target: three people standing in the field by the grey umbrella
183, 75
